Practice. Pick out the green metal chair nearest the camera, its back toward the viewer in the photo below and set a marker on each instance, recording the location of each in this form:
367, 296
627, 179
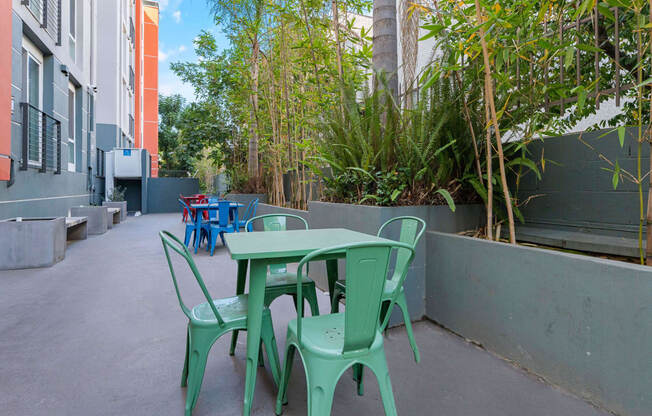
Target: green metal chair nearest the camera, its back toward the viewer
330, 344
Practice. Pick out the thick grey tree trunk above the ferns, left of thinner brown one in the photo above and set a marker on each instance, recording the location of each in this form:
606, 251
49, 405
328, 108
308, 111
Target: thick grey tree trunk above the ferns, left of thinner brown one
384, 55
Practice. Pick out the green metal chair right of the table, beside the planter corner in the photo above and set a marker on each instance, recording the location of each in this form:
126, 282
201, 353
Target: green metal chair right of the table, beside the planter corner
410, 234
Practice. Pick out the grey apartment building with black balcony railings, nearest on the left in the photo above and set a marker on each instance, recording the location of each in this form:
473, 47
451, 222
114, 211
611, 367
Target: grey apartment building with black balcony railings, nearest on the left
48, 89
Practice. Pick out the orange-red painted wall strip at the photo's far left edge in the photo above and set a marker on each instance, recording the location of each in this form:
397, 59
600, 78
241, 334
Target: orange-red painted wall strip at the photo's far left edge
5, 88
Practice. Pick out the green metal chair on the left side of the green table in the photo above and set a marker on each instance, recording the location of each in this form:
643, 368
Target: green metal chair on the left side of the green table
209, 321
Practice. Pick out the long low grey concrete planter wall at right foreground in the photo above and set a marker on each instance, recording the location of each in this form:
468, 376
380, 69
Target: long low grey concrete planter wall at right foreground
583, 323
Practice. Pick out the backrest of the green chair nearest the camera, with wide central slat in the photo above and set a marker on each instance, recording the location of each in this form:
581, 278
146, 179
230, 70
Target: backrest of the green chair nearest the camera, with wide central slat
366, 272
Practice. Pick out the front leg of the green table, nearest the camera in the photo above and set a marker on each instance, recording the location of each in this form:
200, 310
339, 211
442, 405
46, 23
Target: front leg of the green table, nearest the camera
258, 274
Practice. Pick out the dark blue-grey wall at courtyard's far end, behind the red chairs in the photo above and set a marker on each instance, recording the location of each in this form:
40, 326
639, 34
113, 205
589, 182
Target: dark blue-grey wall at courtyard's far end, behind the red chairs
163, 193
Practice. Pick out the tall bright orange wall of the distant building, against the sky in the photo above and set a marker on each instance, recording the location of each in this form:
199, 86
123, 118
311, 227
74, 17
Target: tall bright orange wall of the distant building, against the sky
150, 85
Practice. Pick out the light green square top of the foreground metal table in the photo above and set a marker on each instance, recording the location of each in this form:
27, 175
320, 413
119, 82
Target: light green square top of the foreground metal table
296, 243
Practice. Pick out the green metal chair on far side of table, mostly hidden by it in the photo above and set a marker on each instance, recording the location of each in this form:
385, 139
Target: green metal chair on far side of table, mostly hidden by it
279, 281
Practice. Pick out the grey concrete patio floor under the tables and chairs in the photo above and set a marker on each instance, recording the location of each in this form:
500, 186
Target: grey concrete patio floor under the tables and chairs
101, 333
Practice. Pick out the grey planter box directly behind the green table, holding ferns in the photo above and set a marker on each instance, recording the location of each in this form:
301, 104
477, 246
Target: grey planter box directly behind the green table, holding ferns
368, 219
